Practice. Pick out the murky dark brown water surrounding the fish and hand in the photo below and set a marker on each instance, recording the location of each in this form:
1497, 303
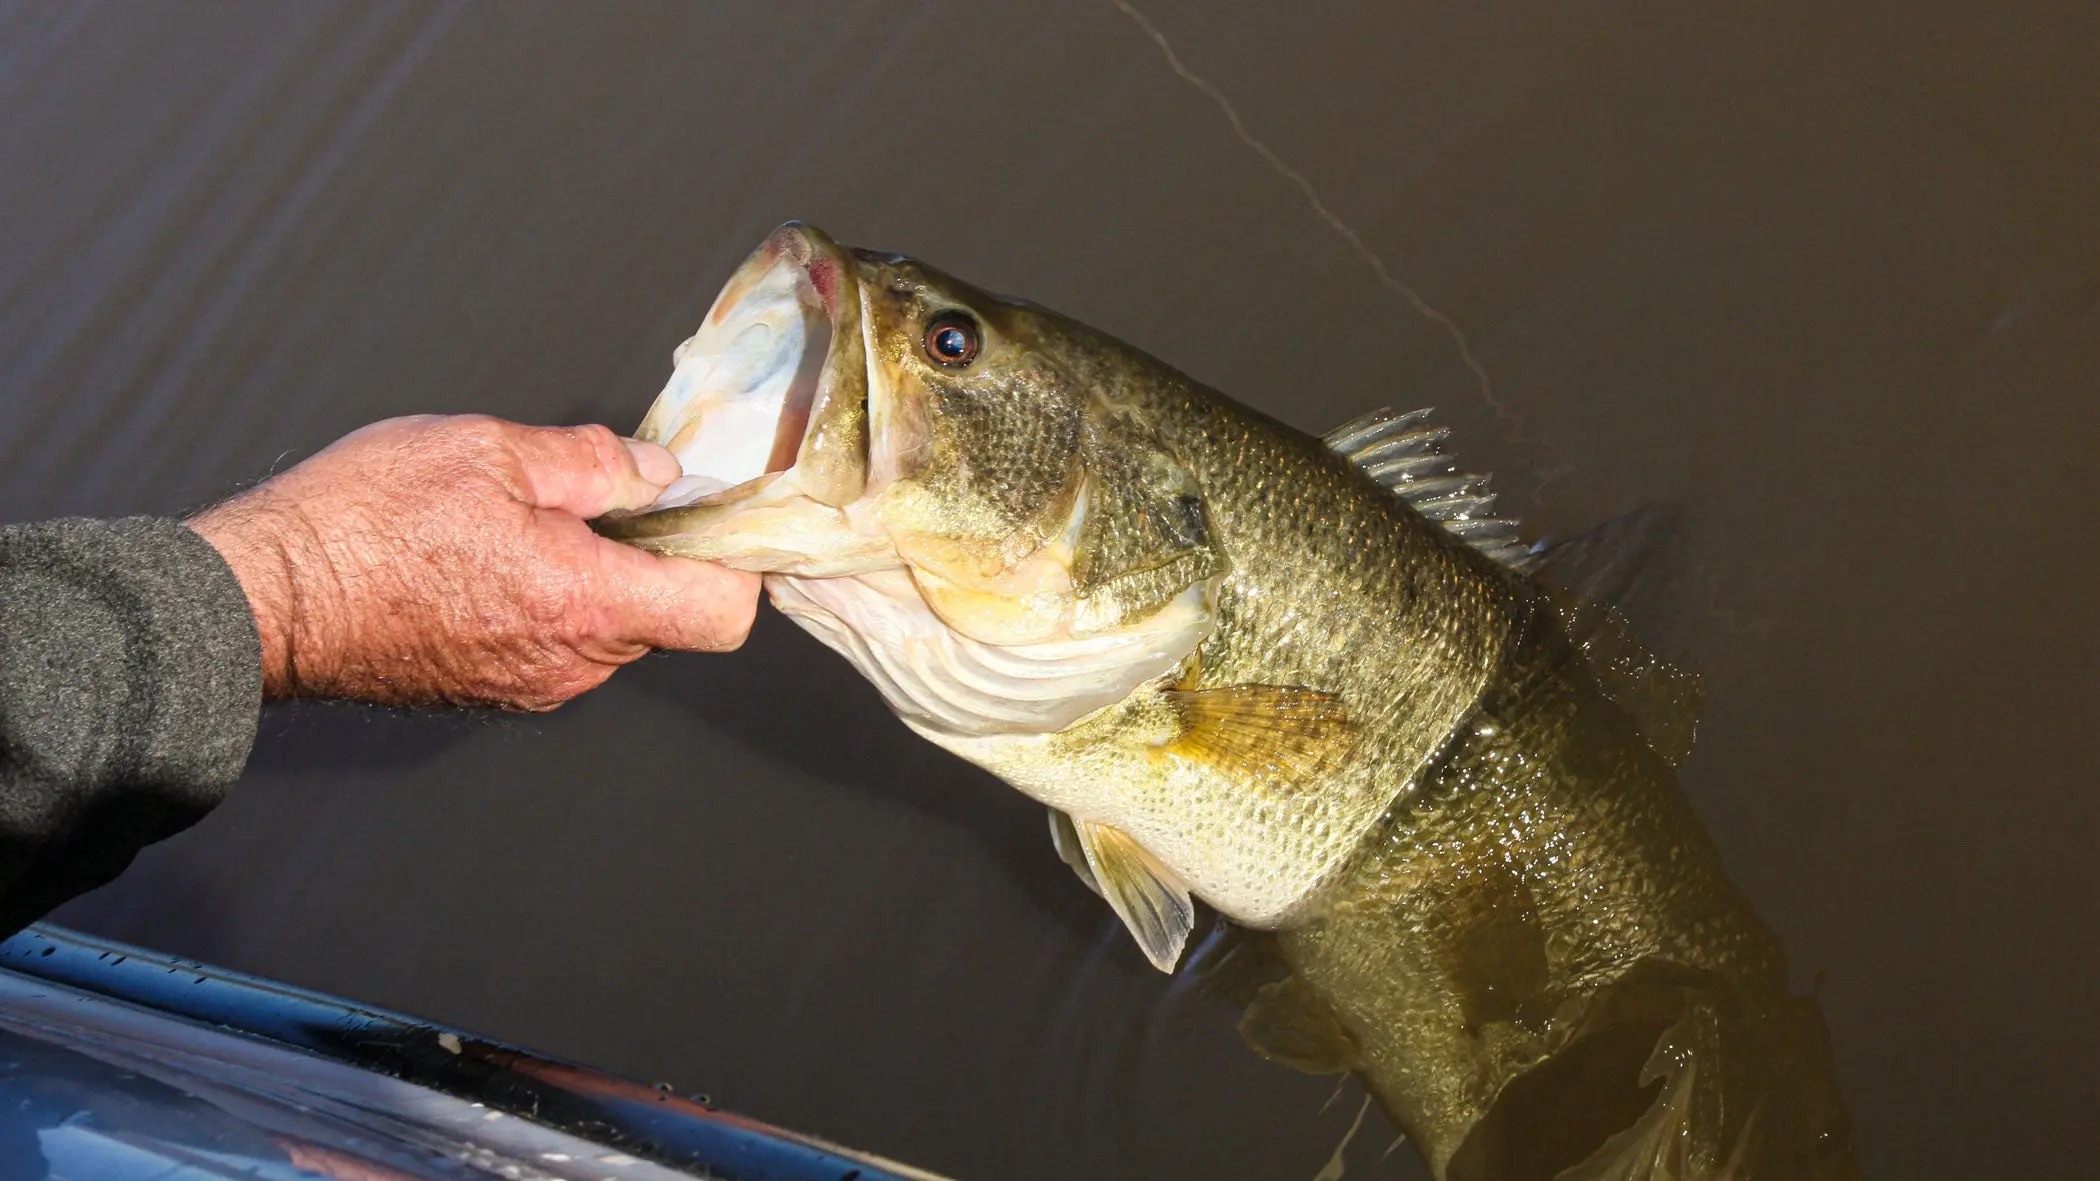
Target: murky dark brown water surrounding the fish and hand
1824, 274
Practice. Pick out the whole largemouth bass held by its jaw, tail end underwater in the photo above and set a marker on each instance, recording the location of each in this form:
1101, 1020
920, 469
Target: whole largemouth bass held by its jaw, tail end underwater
1314, 684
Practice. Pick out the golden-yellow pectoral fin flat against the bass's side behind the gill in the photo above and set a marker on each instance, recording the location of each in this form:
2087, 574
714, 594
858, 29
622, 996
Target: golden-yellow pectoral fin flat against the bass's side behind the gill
1267, 737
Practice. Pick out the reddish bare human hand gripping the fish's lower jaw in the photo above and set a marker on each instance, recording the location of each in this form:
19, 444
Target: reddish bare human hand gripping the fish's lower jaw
448, 562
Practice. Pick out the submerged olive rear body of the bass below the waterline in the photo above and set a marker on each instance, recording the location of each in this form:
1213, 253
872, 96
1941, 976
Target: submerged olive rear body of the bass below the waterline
1540, 951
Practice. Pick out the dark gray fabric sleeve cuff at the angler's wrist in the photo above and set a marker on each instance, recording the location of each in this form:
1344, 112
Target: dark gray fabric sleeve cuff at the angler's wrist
131, 680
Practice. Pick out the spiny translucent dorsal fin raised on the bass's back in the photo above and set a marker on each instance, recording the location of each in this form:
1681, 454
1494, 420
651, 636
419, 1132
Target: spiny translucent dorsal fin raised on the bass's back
1406, 453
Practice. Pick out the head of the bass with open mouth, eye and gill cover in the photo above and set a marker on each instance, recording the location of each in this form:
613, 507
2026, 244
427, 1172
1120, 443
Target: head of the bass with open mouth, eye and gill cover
845, 413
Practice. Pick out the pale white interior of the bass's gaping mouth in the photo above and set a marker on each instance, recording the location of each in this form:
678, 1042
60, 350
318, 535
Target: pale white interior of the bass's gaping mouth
740, 398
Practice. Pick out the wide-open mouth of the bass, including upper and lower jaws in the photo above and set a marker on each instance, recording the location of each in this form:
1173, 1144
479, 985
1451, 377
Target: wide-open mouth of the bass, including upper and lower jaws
768, 413
